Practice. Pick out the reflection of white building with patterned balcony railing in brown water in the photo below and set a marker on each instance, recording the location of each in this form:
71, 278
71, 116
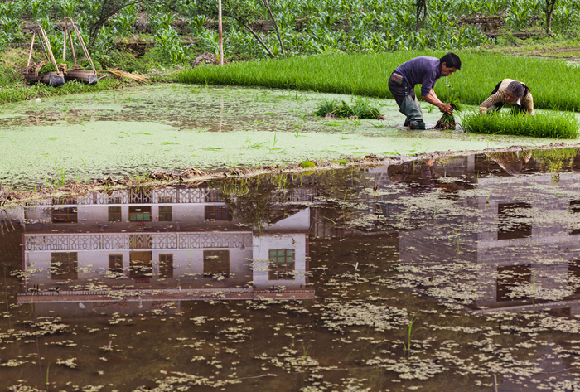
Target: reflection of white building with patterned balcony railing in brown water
155, 246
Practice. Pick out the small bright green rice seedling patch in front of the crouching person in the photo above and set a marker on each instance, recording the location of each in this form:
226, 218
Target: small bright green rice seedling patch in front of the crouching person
544, 125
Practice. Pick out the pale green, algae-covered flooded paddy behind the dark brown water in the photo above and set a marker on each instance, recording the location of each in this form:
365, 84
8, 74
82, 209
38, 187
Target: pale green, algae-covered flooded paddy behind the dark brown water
52, 141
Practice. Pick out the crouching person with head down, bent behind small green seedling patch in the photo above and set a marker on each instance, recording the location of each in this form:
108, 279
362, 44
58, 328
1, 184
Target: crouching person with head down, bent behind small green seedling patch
509, 92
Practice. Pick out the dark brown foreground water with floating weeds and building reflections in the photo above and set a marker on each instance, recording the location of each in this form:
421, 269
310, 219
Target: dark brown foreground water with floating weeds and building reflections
455, 275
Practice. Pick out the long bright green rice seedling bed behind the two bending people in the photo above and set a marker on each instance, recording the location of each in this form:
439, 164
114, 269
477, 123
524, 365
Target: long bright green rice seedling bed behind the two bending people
367, 74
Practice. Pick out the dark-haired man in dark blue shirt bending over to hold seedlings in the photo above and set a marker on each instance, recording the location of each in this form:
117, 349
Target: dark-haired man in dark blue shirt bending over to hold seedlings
423, 70
